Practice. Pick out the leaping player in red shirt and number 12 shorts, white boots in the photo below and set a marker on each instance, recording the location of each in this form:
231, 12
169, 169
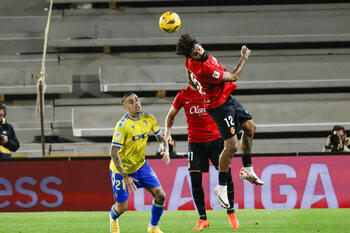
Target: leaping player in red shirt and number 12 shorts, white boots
216, 84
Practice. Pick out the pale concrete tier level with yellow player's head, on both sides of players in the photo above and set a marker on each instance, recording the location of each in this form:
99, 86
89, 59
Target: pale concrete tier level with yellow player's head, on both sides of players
272, 113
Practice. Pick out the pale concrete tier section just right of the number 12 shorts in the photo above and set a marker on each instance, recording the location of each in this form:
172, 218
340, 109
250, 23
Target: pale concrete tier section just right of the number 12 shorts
297, 113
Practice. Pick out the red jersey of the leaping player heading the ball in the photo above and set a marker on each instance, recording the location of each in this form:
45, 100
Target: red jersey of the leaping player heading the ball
207, 76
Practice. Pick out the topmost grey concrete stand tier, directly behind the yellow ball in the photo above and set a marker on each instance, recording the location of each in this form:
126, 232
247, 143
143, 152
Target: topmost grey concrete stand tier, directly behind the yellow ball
139, 26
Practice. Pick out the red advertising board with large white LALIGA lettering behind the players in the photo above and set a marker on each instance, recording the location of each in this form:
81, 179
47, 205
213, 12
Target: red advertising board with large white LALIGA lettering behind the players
72, 184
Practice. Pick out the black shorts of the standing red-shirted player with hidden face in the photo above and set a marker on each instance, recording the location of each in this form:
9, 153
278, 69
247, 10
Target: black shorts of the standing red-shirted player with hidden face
199, 154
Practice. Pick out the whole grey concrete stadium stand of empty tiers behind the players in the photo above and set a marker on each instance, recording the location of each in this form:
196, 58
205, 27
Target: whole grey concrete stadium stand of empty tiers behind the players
295, 84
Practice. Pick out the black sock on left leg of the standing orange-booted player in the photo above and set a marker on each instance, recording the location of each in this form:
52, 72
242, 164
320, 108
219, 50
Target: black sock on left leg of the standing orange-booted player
198, 194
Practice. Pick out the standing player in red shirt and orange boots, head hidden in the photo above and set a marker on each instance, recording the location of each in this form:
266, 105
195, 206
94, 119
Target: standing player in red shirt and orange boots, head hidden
204, 144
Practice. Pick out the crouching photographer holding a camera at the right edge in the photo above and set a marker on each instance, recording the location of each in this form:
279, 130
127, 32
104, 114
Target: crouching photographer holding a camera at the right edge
337, 141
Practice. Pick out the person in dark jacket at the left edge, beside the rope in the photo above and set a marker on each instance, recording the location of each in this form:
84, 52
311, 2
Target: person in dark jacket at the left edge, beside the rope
8, 139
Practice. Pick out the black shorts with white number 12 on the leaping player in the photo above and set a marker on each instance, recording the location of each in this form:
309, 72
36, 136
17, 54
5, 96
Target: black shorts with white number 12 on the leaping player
229, 117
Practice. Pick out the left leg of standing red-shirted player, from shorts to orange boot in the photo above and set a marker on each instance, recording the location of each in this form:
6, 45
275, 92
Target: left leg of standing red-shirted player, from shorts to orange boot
198, 159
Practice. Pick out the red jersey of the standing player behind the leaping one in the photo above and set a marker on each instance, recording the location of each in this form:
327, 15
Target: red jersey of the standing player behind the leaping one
201, 128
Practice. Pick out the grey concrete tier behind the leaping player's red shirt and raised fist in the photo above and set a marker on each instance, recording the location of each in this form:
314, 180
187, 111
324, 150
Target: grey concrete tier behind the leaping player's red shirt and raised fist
313, 69
